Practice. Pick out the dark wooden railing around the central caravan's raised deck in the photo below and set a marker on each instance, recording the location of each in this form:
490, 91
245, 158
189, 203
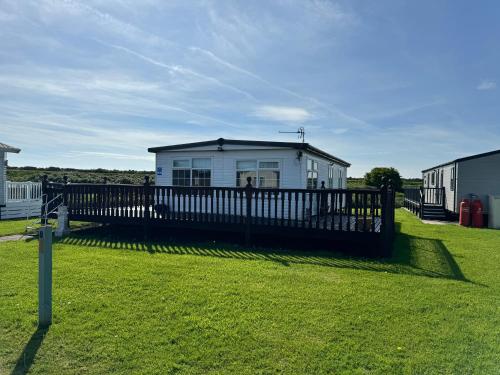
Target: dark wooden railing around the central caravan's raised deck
322, 213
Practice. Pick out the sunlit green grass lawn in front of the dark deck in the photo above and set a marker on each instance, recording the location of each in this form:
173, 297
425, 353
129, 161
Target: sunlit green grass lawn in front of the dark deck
128, 307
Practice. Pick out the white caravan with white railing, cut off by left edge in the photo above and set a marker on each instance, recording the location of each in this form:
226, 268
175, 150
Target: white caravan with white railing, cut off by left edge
17, 199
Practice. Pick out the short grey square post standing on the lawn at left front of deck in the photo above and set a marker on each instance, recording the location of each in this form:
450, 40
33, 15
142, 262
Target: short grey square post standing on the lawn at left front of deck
45, 276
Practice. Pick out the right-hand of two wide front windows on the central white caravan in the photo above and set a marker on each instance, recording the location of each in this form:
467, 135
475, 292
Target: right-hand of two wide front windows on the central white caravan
264, 174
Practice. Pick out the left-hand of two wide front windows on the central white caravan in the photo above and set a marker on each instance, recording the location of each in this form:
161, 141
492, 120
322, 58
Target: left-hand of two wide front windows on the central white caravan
191, 172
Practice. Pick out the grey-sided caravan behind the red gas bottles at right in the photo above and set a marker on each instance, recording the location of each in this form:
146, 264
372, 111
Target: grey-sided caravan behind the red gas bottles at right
477, 174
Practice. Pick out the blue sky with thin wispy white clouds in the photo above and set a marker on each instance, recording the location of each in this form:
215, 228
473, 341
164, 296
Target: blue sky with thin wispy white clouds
92, 84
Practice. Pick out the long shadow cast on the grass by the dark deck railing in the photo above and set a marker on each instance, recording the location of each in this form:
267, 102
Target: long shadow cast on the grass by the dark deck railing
412, 255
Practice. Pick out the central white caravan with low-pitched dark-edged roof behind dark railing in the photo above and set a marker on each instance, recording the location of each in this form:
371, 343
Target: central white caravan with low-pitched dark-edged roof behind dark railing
228, 163
